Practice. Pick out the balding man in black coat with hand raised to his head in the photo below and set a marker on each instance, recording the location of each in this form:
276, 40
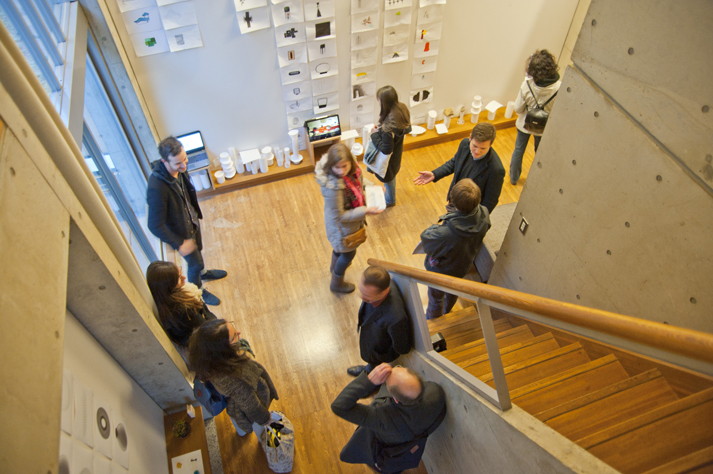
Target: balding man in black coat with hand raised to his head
404, 409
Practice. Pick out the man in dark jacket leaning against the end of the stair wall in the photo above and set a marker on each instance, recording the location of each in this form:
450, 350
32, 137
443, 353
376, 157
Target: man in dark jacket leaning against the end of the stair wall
384, 327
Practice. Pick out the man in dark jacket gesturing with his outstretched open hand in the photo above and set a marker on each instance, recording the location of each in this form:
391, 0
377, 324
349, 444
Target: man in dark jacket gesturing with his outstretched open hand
475, 159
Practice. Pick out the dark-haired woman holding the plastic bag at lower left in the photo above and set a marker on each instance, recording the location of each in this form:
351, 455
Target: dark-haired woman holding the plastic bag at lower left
215, 354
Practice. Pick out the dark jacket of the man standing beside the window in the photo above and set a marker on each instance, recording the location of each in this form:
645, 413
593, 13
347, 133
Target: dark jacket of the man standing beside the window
169, 219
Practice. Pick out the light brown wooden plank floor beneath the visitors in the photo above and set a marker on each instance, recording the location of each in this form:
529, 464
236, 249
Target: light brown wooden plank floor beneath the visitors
272, 242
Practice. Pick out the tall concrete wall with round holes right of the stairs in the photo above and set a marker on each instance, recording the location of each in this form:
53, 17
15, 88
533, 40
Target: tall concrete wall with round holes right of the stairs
619, 196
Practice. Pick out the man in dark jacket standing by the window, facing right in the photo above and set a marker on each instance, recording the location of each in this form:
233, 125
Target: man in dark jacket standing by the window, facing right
174, 214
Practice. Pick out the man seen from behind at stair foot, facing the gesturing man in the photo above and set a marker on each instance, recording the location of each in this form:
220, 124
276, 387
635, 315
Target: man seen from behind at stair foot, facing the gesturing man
452, 245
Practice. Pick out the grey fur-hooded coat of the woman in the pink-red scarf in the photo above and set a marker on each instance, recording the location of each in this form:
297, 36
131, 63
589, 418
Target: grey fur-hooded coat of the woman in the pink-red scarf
338, 220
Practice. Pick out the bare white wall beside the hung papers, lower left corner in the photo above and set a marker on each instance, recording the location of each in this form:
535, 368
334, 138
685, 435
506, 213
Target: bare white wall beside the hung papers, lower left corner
89, 363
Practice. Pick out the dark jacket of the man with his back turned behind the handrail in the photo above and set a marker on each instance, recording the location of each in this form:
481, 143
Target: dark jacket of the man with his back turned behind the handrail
452, 245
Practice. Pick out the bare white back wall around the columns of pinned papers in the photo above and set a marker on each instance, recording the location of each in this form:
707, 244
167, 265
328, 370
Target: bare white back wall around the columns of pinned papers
230, 88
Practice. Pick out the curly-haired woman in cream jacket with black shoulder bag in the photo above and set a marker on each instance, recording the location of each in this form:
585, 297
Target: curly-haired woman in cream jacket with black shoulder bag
541, 83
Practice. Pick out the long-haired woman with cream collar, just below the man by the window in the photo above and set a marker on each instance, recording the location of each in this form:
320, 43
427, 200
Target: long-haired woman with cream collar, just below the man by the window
180, 307
